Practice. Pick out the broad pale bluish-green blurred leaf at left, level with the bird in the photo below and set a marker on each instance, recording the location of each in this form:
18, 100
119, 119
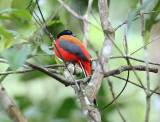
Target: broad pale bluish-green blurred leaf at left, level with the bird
15, 56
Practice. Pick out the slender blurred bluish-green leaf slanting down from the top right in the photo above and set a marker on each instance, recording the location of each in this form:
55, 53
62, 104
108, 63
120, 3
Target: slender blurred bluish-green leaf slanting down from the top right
132, 15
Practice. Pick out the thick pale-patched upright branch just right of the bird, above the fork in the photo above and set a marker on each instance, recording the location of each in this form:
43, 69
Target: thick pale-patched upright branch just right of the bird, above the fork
97, 77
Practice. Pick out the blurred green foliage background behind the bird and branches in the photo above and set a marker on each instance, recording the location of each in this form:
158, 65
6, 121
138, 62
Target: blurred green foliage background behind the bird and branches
43, 99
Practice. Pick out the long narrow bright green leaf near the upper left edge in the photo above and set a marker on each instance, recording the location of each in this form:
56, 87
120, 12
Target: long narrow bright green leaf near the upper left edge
23, 13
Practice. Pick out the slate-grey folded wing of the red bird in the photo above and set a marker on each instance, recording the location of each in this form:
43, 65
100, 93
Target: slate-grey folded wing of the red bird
73, 48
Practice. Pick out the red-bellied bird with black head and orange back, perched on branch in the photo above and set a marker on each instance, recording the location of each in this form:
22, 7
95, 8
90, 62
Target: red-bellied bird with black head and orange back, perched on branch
73, 50
